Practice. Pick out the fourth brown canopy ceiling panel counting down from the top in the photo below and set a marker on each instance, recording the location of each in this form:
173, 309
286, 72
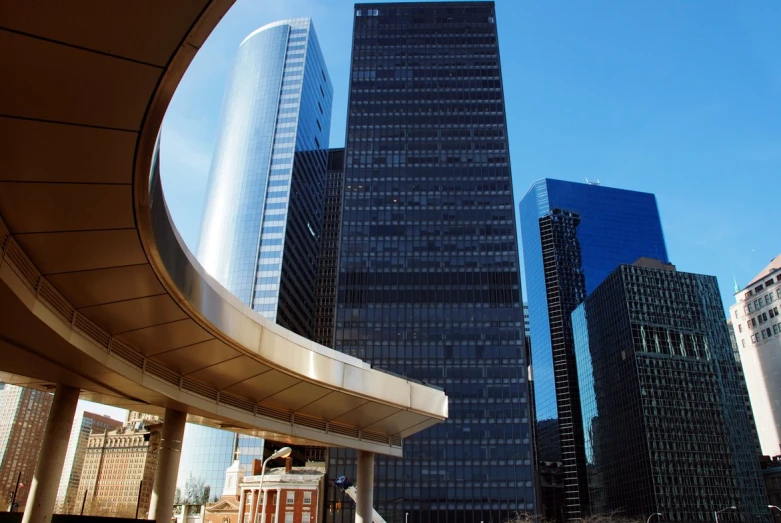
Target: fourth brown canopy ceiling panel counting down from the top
54, 207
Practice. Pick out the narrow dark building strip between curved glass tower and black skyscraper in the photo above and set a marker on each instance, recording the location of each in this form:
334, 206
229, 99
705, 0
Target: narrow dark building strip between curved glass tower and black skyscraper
325, 294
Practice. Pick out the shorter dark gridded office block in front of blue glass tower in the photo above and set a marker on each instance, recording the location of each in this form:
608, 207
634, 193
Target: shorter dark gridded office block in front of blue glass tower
663, 409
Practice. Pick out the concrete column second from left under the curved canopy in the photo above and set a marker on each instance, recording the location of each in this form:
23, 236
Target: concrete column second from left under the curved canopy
162, 505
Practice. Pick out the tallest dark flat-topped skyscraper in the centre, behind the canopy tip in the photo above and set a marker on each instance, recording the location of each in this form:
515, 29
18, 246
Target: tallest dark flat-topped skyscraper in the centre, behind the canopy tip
428, 284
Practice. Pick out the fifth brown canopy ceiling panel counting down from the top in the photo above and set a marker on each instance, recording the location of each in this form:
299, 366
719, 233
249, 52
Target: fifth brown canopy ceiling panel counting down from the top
85, 250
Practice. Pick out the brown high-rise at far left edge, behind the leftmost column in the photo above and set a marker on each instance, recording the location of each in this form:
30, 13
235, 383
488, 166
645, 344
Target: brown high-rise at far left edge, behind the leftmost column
23, 415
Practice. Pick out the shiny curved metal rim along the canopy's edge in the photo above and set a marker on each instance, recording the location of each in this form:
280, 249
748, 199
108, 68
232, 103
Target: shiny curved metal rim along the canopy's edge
213, 307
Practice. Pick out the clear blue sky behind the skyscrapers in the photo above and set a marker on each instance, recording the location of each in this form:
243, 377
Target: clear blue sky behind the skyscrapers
681, 99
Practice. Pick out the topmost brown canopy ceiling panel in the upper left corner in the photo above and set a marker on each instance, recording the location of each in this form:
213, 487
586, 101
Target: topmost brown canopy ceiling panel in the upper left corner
147, 30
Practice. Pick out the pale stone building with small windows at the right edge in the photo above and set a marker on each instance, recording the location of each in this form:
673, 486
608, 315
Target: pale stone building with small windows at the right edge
757, 327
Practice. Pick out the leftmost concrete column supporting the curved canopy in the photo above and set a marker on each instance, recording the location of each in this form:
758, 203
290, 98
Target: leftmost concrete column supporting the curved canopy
46, 479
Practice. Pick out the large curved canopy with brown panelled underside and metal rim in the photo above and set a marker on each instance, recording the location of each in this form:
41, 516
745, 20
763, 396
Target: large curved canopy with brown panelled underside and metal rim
98, 291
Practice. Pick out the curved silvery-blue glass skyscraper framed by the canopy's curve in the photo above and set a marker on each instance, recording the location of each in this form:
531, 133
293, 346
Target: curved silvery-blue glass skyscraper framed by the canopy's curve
262, 219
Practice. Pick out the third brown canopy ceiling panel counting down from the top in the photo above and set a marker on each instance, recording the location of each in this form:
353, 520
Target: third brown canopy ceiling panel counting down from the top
35, 151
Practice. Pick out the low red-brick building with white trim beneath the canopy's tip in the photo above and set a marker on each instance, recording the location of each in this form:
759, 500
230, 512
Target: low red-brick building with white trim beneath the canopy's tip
293, 495
